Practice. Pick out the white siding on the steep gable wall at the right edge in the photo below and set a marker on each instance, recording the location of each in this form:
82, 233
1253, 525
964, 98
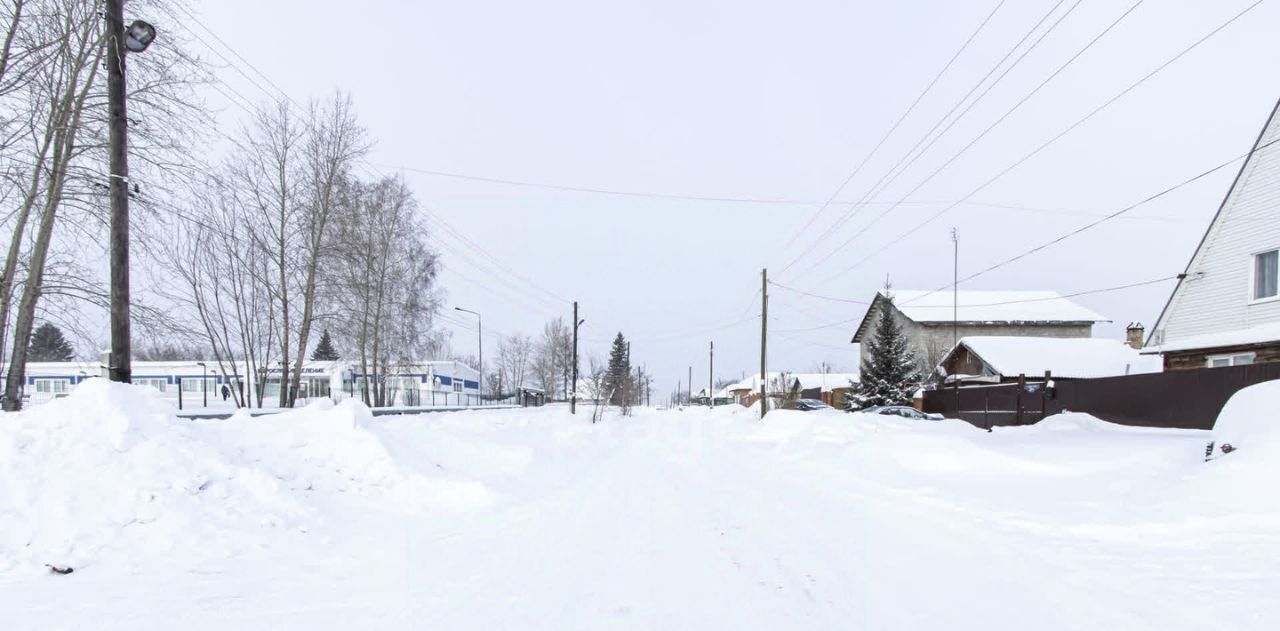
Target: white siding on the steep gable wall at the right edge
1215, 296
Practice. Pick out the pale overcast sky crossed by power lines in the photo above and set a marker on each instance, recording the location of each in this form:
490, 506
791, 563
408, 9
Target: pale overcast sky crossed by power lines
780, 102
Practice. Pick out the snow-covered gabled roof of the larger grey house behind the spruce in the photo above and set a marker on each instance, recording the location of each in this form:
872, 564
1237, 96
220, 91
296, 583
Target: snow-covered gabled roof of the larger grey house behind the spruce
982, 307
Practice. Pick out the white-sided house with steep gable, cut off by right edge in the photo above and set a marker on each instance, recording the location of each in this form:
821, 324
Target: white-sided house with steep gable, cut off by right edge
1226, 309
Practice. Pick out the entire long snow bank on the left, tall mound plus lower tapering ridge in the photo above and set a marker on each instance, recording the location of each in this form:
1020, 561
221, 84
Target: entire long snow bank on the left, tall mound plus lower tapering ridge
111, 470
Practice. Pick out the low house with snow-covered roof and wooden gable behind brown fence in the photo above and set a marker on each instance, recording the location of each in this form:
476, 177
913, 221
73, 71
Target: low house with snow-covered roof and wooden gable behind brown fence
994, 360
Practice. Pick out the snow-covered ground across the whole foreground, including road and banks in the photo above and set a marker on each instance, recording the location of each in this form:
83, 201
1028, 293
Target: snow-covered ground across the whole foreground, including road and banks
327, 519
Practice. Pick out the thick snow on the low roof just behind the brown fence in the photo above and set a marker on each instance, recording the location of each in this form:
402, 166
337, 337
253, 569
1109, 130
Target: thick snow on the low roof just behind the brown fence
1066, 358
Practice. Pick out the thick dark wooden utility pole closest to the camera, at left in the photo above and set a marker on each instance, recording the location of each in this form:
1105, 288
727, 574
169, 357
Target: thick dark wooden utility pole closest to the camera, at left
120, 365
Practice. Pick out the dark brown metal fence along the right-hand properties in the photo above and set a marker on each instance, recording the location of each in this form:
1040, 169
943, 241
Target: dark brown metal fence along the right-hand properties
1182, 399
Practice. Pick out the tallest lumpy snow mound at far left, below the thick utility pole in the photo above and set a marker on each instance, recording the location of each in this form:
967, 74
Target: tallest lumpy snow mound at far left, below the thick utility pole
112, 468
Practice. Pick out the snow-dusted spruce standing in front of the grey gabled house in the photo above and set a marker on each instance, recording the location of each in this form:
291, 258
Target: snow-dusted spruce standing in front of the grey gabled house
890, 377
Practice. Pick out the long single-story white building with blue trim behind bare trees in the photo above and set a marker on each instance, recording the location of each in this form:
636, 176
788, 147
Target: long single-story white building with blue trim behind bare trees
193, 383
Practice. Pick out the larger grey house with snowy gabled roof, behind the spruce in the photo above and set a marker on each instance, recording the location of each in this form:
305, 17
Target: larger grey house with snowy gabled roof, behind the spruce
932, 323
